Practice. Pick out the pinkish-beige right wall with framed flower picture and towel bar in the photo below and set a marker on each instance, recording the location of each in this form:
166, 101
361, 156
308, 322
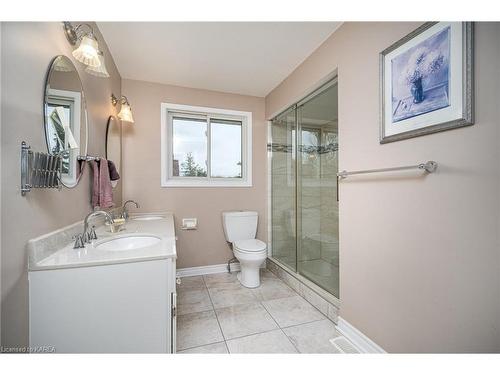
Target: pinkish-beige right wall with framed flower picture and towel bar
419, 256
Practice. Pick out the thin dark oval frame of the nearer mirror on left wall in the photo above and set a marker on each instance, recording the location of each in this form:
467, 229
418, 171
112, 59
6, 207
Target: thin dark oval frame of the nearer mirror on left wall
83, 151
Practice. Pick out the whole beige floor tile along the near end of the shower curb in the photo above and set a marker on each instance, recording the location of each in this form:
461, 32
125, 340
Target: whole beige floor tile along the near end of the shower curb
292, 311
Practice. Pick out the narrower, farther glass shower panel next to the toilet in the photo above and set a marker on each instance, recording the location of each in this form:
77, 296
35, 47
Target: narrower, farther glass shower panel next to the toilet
283, 188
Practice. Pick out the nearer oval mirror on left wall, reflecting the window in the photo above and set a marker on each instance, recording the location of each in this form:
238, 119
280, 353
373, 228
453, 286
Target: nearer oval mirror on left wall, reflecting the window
65, 118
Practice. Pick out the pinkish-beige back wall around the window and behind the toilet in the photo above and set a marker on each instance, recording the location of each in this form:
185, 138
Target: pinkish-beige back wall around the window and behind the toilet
141, 175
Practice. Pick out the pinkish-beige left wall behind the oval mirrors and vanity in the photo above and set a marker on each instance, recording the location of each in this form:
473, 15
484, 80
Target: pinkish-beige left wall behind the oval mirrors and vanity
27, 49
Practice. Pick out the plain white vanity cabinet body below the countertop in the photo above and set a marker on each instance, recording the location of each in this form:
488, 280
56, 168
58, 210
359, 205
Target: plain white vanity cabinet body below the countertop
119, 308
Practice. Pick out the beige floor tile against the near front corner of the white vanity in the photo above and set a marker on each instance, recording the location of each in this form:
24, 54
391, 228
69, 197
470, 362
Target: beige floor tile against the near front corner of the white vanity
197, 329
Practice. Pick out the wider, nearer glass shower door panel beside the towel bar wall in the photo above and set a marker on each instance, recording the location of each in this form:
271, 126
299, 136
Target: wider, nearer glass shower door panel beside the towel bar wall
317, 199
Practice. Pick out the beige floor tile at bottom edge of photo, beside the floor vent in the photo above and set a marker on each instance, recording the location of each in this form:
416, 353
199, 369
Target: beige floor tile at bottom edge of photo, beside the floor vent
313, 337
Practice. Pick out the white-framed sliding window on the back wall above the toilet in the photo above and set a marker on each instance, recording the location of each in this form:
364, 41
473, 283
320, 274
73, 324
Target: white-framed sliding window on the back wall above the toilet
205, 146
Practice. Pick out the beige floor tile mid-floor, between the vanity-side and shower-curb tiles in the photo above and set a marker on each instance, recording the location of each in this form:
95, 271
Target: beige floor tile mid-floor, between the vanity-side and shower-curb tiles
244, 320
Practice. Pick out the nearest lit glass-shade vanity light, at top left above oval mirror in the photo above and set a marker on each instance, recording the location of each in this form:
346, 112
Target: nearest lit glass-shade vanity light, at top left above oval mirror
88, 50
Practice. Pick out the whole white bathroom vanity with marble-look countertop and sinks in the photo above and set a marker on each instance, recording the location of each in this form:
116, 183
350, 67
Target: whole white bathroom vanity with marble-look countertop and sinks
115, 295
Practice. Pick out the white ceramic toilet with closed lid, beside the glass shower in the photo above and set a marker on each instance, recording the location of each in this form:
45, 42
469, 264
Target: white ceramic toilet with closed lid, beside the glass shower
240, 228
